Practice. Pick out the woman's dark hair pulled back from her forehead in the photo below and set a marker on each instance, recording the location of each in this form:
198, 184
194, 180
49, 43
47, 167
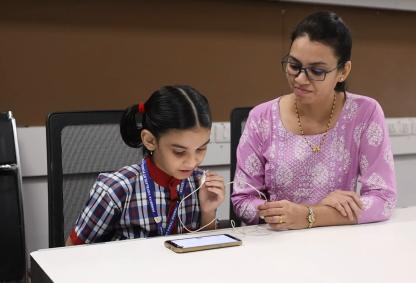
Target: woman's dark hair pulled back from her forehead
329, 29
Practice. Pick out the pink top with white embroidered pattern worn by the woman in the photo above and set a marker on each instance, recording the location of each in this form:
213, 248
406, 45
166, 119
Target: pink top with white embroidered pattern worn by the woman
282, 165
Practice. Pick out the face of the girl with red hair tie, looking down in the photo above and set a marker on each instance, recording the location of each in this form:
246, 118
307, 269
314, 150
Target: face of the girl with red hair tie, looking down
178, 152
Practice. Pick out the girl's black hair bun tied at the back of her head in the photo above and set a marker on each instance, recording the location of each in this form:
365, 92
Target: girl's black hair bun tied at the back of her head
130, 129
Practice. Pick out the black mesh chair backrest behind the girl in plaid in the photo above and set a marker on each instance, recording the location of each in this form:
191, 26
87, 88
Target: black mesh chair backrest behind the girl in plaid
80, 145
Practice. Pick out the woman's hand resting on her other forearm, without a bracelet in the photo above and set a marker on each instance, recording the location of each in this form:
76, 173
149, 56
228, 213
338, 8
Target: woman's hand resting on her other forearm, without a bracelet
347, 203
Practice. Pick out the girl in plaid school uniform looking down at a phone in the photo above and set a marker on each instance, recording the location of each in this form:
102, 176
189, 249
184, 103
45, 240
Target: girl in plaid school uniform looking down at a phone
144, 200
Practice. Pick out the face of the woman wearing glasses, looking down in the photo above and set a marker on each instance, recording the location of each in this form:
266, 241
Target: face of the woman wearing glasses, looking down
318, 58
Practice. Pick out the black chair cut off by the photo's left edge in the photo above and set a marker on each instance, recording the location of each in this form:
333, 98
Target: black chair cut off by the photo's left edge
12, 236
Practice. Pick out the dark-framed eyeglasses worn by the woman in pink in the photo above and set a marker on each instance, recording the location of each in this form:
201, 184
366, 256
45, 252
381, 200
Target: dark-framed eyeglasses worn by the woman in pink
293, 68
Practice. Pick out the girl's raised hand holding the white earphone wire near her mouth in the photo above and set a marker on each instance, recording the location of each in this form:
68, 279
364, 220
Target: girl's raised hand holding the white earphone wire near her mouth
212, 193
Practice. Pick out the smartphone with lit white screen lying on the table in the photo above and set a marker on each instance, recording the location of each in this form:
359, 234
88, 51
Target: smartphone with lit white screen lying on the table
202, 243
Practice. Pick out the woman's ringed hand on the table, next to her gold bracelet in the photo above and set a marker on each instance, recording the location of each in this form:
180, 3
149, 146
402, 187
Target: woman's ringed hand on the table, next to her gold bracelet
284, 214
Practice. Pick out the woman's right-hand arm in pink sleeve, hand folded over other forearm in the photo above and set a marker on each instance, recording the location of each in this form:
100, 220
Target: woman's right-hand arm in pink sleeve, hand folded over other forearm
377, 197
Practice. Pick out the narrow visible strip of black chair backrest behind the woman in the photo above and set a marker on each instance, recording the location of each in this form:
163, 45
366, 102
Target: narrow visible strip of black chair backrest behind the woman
237, 122
